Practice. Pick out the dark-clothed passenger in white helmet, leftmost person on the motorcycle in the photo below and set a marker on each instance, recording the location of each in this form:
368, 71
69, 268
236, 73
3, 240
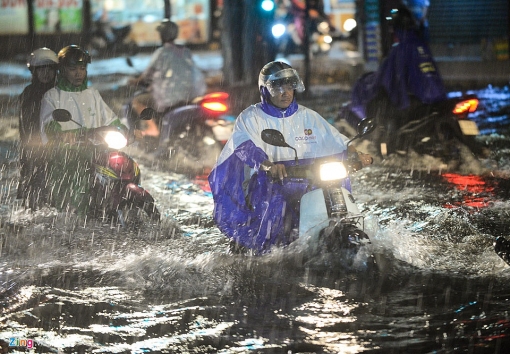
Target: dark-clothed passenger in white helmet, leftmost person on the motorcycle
42, 64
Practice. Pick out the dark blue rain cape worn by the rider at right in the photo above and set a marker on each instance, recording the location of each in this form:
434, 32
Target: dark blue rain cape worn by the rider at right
409, 69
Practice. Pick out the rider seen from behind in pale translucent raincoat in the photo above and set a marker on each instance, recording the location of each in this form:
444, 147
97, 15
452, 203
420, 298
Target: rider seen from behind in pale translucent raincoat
173, 77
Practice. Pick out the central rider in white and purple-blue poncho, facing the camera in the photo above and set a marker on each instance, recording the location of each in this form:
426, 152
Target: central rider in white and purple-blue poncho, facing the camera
249, 208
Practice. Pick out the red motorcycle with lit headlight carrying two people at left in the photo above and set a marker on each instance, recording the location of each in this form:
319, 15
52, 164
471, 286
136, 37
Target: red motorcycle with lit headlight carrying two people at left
115, 191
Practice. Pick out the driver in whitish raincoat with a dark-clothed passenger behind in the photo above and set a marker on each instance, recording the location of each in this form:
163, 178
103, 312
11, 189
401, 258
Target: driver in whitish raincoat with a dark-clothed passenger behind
69, 162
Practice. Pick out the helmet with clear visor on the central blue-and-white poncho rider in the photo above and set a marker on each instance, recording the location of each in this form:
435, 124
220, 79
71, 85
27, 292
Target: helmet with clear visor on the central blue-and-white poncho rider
276, 74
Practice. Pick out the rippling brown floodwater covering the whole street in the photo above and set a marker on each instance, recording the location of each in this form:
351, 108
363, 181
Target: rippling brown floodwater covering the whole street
71, 285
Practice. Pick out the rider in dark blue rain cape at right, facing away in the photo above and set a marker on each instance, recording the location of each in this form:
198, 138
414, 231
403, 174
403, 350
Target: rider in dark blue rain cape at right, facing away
408, 77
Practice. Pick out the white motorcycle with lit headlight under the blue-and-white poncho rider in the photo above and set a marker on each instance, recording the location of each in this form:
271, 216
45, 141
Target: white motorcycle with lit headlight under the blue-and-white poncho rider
328, 211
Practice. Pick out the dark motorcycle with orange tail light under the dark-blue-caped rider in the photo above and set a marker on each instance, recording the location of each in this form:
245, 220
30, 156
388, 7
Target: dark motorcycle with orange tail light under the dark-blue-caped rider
437, 129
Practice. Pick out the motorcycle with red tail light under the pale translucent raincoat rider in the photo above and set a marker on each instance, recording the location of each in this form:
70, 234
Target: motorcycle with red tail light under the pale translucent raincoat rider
191, 135
